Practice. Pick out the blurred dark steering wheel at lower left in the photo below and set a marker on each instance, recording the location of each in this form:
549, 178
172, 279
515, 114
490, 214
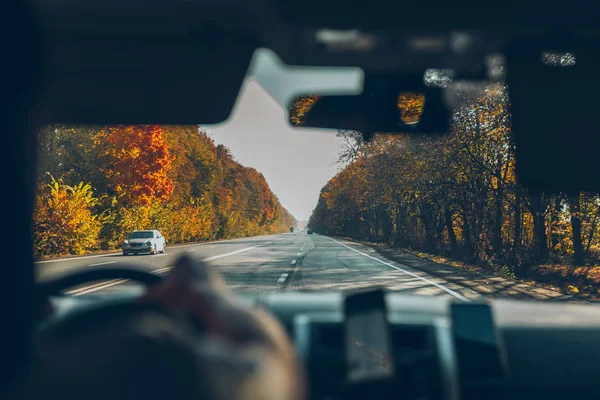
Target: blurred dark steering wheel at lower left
122, 349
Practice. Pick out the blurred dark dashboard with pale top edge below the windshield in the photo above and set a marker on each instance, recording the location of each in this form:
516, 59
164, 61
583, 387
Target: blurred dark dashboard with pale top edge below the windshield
542, 348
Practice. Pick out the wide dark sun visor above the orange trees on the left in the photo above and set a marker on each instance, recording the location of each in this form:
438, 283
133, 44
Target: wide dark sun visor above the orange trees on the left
175, 79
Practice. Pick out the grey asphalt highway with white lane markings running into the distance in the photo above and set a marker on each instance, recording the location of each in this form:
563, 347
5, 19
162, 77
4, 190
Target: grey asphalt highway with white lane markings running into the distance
288, 261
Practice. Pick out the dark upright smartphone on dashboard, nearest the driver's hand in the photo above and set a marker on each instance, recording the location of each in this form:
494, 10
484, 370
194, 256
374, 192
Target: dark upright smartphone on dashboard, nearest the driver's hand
368, 341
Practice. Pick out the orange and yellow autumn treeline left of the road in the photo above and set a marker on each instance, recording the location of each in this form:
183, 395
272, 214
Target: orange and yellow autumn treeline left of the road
98, 183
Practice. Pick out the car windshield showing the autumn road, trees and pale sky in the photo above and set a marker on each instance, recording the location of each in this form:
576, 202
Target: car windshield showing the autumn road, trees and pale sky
279, 208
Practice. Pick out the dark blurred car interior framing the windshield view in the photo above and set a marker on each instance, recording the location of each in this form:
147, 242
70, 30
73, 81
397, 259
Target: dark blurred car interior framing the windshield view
133, 62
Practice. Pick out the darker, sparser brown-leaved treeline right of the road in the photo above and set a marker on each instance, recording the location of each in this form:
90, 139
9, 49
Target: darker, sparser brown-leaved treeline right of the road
456, 195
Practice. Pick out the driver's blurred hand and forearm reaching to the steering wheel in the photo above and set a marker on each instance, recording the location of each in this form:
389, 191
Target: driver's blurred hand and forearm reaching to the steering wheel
246, 354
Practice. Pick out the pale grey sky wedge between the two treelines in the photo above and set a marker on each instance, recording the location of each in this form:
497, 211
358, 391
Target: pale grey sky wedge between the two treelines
296, 163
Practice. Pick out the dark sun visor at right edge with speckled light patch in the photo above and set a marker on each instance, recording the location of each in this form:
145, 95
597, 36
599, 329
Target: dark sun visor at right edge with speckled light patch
554, 89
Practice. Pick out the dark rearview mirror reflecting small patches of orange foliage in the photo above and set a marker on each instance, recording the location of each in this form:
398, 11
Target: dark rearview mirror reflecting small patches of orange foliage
387, 104
